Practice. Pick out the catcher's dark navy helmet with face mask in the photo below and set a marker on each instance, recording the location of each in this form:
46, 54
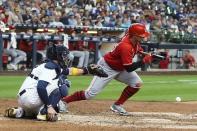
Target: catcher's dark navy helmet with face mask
59, 53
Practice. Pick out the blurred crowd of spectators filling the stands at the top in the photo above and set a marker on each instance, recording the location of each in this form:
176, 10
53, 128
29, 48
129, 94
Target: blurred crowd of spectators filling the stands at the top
164, 18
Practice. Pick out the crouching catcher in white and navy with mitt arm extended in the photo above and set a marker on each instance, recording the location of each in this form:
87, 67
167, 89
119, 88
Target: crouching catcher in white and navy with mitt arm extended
41, 92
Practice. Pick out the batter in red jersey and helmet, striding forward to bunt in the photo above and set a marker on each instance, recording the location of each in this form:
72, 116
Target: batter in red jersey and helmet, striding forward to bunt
119, 65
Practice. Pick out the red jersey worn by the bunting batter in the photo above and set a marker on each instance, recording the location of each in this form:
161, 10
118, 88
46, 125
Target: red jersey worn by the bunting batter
122, 54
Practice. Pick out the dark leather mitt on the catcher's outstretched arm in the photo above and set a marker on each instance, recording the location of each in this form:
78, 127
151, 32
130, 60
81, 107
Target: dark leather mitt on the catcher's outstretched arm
95, 70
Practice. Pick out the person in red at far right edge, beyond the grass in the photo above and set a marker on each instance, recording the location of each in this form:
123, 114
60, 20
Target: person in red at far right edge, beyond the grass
188, 61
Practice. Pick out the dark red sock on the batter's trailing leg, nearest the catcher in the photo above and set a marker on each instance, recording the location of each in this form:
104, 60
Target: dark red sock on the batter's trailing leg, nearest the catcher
77, 96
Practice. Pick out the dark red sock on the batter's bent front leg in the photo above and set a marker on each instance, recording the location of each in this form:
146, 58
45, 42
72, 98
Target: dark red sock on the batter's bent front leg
126, 94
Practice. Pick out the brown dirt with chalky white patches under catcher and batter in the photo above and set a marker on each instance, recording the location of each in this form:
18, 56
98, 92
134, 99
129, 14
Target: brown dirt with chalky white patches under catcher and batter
95, 116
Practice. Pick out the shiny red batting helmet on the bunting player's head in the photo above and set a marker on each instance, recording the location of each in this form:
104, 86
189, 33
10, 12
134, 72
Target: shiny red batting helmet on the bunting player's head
138, 30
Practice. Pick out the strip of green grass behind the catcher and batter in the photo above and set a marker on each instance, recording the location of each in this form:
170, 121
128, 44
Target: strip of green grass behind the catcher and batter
155, 88
